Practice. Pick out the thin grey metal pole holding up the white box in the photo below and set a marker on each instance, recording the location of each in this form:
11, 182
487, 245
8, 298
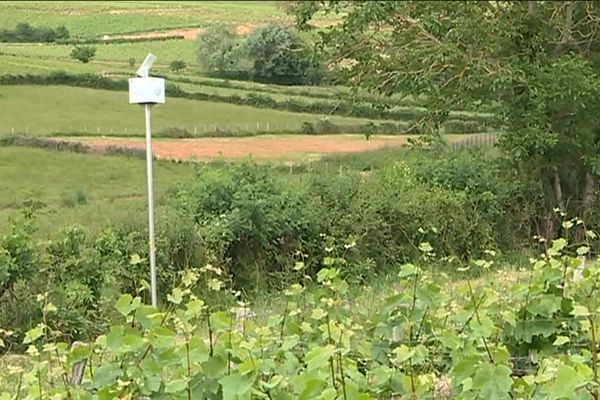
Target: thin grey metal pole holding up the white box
151, 240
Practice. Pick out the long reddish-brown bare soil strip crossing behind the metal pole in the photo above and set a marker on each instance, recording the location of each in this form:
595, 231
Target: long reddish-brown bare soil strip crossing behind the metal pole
259, 147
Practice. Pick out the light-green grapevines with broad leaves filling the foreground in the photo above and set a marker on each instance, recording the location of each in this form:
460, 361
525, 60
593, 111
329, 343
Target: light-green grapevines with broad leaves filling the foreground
535, 338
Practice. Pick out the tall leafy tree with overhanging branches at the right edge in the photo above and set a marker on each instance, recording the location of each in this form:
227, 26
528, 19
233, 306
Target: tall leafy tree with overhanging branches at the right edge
535, 62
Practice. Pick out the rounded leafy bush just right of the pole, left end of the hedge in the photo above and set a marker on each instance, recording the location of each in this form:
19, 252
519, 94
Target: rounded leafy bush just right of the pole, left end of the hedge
249, 223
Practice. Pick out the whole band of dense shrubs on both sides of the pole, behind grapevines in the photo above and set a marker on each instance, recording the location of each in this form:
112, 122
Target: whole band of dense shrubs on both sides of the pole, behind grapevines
255, 224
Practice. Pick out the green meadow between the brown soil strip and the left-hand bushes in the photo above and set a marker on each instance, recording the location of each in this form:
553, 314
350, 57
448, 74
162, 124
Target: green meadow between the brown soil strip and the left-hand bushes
86, 189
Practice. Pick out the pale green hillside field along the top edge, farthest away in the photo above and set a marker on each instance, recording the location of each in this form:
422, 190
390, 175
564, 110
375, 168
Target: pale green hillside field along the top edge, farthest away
93, 19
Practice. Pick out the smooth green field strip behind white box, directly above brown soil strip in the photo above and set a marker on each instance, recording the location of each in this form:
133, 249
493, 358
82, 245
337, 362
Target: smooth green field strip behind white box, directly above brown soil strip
45, 109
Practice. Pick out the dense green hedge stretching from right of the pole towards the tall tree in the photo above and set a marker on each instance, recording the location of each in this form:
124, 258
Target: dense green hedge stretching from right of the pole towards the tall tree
253, 224
